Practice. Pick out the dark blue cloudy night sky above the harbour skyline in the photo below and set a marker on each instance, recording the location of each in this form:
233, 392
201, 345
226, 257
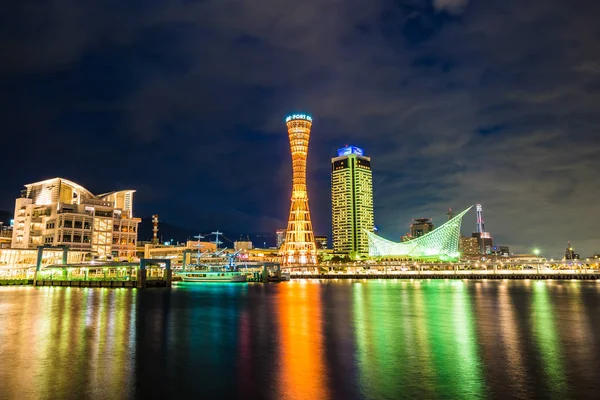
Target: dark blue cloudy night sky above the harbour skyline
456, 101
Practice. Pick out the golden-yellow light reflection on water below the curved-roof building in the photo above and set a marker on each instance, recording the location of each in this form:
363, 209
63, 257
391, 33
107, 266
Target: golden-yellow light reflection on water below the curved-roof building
56, 340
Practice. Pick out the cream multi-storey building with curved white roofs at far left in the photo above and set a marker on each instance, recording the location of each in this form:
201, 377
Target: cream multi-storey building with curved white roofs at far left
58, 212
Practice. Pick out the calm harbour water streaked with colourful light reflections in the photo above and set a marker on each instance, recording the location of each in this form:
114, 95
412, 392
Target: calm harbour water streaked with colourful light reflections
304, 340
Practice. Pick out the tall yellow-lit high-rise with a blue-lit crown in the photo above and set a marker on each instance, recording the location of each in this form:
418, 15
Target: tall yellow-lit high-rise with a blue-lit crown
351, 201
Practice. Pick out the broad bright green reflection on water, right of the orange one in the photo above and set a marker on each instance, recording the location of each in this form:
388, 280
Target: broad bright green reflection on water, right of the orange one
418, 336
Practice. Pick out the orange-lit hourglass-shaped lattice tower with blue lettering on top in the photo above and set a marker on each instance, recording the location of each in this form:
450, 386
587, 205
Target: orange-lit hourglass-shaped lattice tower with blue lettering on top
299, 246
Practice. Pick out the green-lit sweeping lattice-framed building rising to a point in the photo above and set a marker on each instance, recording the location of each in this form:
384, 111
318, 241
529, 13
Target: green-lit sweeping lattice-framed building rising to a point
440, 244
